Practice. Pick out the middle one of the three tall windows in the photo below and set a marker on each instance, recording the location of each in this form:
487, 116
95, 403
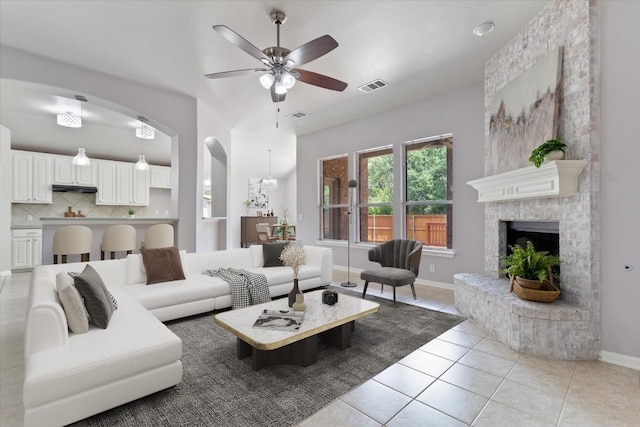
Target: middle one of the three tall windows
375, 198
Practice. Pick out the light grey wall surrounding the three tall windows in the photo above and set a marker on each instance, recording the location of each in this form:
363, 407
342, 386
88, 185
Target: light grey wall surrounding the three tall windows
459, 112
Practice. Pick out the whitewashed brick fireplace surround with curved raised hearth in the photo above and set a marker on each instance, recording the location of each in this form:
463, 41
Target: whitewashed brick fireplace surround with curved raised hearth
570, 327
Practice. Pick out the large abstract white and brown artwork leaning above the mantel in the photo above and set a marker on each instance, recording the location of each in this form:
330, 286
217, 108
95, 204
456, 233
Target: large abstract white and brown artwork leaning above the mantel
524, 114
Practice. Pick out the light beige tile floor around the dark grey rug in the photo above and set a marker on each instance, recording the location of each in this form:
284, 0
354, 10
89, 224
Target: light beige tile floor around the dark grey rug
462, 378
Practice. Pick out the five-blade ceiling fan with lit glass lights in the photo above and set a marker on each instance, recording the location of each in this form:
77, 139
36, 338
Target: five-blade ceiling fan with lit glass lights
280, 74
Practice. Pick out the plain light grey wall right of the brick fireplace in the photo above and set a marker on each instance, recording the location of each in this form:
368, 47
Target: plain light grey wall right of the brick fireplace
620, 202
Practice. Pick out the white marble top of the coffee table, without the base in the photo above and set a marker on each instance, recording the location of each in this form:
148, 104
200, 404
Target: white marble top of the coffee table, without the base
318, 317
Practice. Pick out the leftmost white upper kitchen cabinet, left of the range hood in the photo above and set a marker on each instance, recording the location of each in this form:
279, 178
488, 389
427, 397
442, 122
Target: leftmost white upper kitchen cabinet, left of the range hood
31, 178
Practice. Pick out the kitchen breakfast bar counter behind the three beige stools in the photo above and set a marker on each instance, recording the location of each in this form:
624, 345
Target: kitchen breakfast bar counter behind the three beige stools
97, 226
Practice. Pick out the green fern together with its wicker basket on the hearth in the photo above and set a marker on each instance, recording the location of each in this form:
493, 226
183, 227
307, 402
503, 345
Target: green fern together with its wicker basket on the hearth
531, 272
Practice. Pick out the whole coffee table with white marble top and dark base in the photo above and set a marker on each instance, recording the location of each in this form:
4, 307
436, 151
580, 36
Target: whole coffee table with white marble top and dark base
333, 324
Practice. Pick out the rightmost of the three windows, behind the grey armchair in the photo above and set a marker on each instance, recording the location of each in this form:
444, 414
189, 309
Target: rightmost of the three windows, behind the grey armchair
429, 195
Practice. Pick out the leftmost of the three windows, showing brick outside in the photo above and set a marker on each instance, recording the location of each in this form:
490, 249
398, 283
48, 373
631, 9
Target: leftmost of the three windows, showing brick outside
335, 198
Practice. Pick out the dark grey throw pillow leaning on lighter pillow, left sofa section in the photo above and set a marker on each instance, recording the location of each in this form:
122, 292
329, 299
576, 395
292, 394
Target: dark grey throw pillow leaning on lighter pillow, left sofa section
95, 294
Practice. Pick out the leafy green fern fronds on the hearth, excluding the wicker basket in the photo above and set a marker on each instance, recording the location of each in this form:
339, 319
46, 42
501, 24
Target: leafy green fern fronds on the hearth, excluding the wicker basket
529, 267
